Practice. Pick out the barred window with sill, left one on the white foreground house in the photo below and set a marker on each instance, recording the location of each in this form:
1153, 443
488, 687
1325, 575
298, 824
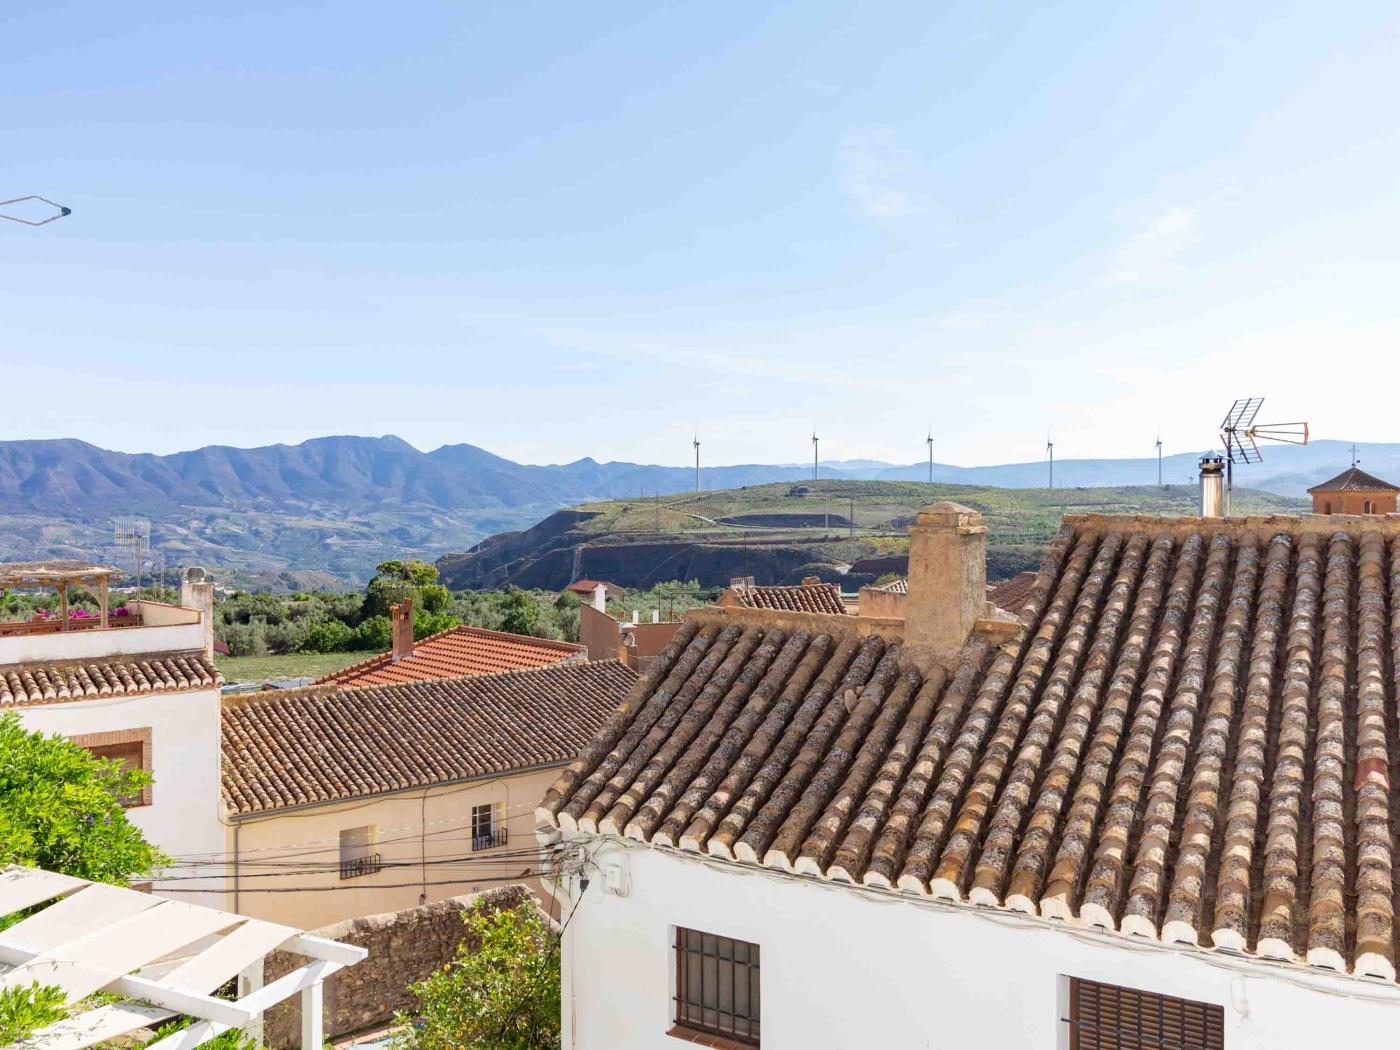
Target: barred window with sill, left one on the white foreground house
717, 986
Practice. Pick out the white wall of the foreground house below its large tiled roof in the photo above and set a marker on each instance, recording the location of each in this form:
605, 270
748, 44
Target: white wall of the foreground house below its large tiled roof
852, 968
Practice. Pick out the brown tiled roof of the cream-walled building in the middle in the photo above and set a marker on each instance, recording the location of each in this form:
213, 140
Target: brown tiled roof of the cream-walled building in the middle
289, 748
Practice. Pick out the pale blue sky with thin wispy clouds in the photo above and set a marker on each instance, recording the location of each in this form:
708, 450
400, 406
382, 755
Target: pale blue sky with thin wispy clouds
565, 230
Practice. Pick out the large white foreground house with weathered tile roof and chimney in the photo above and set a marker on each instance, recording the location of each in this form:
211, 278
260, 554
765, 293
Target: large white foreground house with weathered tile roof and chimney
1156, 811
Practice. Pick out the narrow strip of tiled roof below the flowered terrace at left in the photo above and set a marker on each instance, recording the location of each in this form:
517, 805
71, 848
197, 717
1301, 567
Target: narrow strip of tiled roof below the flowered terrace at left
24, 685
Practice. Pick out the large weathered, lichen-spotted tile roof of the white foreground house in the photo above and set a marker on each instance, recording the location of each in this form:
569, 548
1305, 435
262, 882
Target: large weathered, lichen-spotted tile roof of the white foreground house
1191, 737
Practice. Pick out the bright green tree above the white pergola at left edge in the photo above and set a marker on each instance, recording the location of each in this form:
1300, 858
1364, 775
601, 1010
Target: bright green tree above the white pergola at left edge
61, 808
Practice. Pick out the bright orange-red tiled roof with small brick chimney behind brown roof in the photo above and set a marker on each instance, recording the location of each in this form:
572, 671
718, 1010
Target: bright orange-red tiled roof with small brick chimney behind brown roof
454, 653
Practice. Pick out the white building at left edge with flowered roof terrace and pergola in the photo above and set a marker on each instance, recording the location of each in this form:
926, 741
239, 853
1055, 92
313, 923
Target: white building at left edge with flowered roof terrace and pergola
139, 688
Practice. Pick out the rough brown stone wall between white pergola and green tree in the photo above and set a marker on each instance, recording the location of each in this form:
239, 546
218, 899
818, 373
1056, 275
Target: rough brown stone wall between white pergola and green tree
405, 947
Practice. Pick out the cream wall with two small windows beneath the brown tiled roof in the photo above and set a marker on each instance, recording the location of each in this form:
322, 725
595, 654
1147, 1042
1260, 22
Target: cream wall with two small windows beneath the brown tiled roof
409, 827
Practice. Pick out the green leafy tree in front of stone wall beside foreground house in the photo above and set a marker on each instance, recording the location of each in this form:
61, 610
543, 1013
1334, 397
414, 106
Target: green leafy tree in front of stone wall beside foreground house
500, 993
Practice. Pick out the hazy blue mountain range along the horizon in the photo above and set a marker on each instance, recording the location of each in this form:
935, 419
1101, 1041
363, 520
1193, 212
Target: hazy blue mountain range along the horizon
331, 509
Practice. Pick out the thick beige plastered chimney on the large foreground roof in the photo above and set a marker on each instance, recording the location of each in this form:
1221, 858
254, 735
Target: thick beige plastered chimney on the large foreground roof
947, 580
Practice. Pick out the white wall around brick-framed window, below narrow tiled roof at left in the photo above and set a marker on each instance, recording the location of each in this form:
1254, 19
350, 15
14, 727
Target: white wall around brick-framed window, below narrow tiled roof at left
184, 817
